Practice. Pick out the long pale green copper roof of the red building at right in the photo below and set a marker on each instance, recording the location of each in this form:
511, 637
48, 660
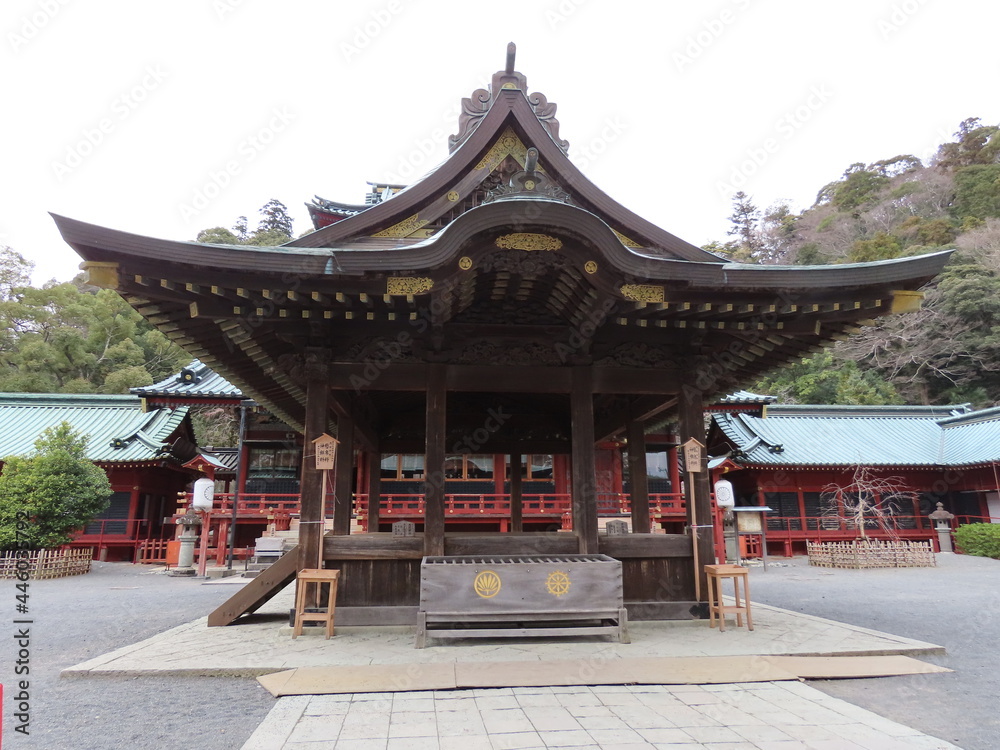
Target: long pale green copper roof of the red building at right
869, 435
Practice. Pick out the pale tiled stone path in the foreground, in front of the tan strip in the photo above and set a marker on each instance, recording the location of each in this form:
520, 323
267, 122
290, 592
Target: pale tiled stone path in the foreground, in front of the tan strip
740, 716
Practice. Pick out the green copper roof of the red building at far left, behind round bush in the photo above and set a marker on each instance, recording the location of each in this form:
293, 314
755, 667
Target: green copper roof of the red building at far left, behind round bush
119, 431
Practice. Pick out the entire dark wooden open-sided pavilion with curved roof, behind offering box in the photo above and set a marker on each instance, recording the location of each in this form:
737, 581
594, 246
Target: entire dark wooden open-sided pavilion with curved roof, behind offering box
502, 304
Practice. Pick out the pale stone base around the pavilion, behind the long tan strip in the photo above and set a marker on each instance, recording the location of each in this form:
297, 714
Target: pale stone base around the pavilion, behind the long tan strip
263, 645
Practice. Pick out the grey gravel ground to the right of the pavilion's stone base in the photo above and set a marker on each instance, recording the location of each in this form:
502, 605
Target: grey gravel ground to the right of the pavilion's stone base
956, 605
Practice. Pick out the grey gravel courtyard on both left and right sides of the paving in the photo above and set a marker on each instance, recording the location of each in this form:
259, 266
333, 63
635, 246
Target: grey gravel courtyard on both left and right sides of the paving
956, 605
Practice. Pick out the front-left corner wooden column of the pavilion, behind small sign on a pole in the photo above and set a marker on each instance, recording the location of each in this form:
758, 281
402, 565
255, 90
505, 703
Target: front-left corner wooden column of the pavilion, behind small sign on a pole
311, 486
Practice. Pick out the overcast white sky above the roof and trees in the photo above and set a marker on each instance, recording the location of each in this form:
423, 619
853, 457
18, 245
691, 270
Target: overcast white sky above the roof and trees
128, 113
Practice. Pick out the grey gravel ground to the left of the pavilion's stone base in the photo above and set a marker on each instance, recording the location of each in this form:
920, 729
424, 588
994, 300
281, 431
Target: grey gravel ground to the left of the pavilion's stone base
81, 617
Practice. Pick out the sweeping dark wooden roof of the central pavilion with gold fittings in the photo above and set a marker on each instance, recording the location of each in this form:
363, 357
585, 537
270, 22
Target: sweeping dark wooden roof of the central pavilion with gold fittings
505, 255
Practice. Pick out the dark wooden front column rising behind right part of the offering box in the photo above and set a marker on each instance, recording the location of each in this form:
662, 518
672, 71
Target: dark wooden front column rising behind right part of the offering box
584, 472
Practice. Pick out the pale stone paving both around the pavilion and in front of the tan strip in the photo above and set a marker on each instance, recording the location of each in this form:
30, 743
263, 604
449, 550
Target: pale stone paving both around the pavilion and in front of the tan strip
767, 716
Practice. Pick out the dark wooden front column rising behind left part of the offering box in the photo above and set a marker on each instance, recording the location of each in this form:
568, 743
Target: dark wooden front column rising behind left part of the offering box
434, 455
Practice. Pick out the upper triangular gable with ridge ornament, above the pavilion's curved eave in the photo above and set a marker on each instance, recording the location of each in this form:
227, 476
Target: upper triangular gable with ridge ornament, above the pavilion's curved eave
491, 161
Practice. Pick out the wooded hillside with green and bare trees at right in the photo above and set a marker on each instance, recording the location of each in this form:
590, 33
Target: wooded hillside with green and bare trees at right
949, 351
